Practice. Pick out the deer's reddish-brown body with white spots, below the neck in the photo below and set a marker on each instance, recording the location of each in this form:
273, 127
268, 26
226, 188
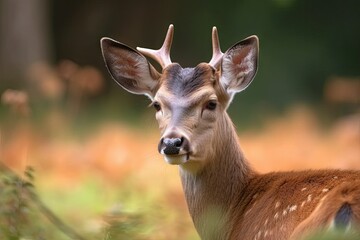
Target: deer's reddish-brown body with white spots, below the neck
293, 203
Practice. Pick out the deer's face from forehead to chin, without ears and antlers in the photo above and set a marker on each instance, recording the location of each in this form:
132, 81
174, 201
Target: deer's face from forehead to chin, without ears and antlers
187, 105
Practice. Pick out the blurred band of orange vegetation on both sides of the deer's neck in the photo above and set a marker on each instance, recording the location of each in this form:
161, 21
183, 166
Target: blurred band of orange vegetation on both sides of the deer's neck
114, 151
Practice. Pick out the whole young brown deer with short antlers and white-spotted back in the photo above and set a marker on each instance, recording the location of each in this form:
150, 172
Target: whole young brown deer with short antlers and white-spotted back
226, 197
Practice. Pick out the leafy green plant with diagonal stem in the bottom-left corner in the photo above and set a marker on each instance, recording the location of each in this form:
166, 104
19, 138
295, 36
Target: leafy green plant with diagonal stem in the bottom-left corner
23, 215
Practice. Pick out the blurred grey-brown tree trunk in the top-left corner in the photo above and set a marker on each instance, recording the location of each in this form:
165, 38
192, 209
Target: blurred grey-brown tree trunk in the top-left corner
25, 39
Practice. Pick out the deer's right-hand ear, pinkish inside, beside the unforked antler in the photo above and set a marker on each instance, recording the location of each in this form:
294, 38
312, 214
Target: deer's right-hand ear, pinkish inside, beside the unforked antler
239, 65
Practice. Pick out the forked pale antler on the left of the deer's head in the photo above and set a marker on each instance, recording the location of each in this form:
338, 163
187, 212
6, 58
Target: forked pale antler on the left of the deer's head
162, 55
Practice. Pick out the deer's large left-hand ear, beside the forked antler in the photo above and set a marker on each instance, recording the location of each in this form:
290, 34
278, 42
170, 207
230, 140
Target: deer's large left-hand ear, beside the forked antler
129, 68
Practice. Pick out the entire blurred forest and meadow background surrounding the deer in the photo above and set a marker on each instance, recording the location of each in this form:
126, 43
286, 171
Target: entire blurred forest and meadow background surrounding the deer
93, 145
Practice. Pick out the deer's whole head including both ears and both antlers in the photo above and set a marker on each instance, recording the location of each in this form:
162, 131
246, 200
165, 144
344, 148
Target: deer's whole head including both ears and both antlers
189, 102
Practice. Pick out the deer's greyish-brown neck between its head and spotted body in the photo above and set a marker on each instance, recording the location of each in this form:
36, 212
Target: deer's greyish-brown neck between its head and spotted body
212, 192
